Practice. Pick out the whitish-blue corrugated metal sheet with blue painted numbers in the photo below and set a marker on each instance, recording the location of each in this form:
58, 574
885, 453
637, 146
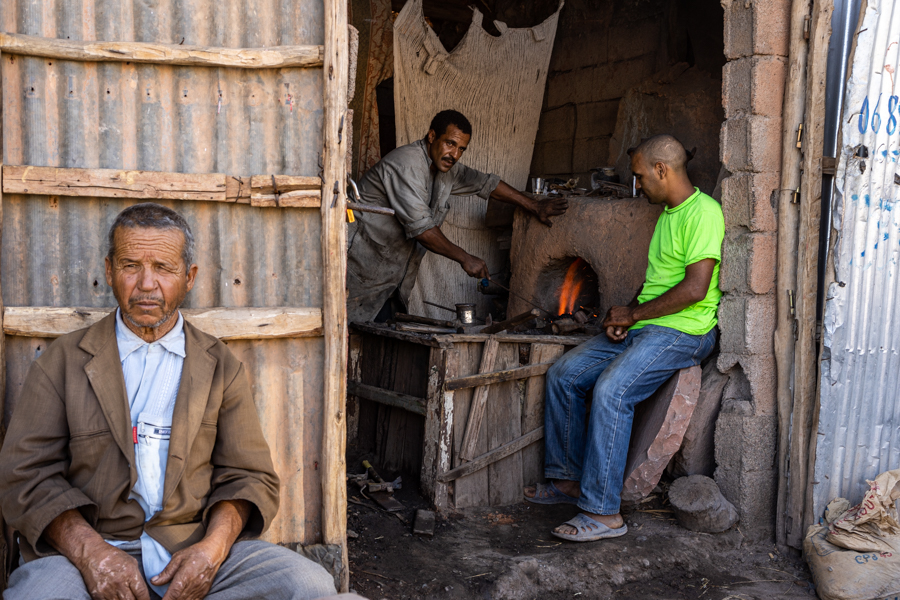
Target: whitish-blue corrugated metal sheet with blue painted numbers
859, 420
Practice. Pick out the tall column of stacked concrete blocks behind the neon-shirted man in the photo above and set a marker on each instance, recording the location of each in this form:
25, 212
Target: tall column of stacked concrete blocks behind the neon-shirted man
756, 46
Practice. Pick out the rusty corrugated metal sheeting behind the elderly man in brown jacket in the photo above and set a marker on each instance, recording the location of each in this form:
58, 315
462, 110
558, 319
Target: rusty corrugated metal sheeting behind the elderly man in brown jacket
187, 119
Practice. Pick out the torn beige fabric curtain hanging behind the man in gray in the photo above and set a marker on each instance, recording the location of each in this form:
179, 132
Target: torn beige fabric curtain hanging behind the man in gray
498, 83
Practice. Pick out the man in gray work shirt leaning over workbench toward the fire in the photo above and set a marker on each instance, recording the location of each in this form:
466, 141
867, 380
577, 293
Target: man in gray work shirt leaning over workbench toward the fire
417, 181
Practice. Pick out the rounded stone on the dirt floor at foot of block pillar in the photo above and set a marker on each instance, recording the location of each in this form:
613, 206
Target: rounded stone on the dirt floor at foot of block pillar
700, 506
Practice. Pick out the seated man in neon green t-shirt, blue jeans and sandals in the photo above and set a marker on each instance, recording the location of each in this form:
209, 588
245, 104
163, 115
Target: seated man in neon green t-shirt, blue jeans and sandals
670, 325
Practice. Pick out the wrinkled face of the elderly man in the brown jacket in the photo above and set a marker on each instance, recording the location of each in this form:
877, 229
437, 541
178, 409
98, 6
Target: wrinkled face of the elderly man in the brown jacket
149, 278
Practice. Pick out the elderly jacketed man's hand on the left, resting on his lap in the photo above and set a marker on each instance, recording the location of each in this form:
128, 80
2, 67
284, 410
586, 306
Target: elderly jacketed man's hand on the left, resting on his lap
111, 574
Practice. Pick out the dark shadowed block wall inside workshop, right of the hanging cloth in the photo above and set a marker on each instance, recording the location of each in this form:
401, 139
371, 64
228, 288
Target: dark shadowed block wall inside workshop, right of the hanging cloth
602, 50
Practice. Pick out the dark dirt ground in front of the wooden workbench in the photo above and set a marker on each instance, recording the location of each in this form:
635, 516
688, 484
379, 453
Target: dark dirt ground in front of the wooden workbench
508, 554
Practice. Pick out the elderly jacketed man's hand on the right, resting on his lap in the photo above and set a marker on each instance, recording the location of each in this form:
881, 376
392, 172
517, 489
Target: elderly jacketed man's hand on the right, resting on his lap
191, 571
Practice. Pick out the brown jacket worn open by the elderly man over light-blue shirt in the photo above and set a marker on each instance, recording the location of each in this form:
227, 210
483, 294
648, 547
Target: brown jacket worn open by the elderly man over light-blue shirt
70, 445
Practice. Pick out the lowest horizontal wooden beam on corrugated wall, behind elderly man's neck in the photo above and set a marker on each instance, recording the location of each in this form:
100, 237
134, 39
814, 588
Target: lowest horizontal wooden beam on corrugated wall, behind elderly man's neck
224, 323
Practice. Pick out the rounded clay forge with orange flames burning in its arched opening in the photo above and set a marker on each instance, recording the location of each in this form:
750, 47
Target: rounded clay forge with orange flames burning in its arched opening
600, 245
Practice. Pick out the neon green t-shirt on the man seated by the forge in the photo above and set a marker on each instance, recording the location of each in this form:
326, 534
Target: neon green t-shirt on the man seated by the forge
690, 232
